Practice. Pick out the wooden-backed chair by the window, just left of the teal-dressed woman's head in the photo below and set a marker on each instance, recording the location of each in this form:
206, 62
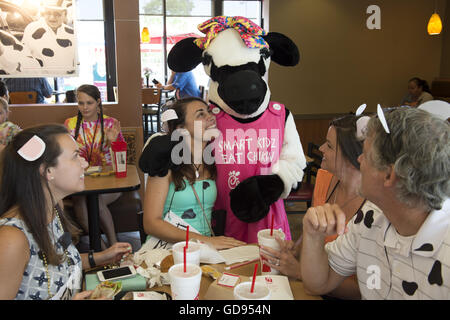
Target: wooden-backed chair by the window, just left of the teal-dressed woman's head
151, 108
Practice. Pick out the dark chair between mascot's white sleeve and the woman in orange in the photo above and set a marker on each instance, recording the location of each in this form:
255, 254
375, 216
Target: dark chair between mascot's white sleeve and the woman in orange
306, 189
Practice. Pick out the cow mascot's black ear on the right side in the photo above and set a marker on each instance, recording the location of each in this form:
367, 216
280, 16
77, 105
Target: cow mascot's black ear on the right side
285, 51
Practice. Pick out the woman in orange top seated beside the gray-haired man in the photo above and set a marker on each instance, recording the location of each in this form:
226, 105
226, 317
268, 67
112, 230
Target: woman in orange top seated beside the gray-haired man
337, 182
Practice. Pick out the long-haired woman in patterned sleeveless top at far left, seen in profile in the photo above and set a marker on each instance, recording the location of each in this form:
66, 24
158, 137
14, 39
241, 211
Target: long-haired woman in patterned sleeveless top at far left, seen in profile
40, 167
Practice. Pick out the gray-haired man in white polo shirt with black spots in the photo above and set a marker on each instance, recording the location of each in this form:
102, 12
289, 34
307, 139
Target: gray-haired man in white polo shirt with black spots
398, 245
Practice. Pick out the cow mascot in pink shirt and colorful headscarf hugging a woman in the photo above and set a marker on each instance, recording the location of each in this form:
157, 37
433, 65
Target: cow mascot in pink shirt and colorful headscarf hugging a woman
258, 154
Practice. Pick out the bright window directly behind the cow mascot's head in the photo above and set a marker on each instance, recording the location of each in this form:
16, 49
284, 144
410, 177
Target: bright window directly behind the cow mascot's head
179, 19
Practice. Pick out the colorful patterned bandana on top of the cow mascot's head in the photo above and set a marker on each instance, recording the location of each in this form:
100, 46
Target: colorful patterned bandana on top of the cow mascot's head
250, 32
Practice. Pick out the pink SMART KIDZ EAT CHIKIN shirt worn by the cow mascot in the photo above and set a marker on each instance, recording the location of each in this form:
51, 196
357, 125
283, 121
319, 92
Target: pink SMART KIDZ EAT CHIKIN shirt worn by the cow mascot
245, 150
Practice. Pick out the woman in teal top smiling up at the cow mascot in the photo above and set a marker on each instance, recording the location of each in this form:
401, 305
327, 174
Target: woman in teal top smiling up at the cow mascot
174, 192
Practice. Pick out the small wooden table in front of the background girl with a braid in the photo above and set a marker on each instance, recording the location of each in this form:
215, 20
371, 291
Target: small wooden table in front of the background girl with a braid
95, 185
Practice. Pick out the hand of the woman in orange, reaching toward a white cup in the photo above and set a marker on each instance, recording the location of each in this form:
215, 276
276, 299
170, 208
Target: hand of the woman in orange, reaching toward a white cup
283, 260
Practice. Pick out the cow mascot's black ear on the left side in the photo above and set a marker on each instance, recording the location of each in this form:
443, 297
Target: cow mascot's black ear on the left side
184, 56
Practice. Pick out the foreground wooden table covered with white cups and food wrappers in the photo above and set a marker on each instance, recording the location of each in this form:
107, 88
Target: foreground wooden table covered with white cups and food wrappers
247, 270
